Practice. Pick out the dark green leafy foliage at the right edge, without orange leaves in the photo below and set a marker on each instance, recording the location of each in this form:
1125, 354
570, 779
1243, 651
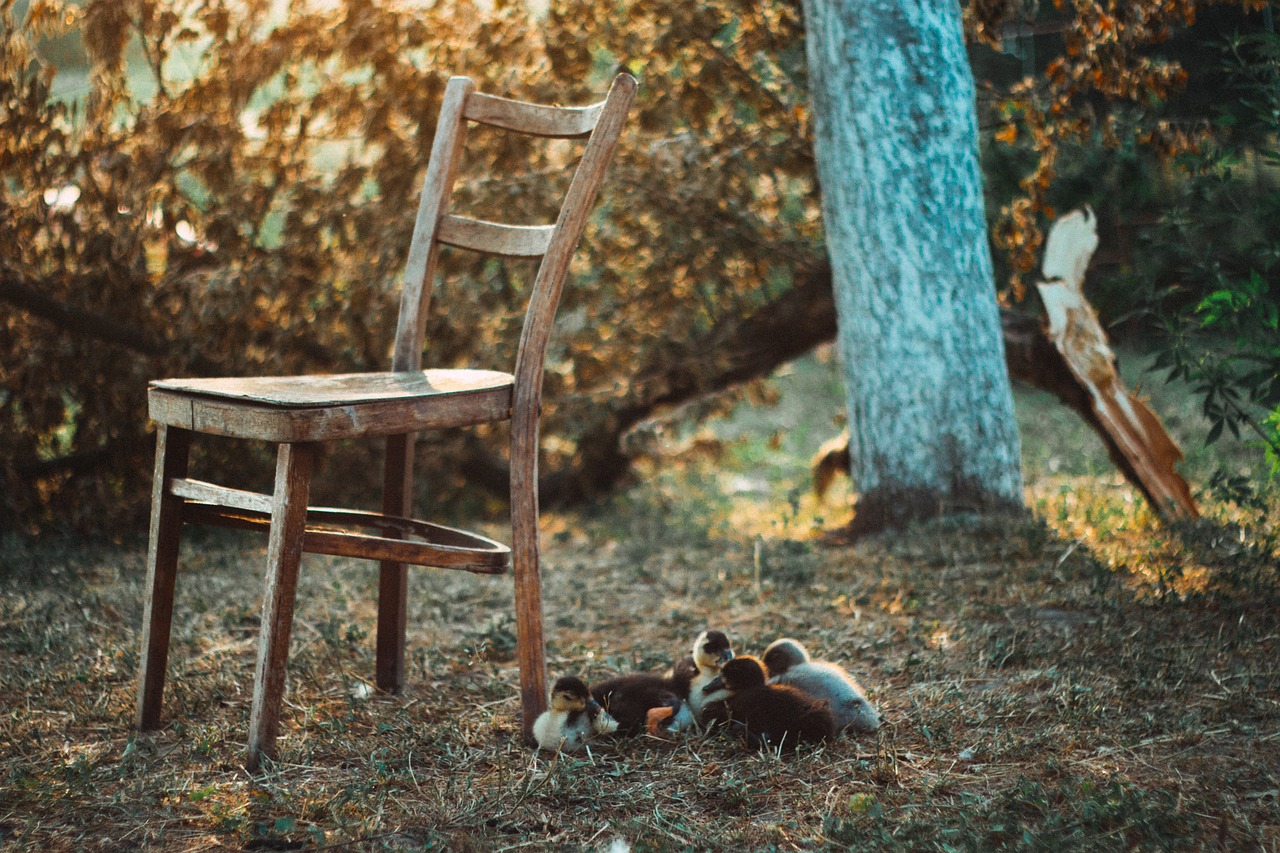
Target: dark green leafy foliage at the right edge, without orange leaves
1220, 316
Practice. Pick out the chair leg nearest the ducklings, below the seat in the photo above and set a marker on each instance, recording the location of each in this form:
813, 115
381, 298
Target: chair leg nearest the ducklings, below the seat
531, 644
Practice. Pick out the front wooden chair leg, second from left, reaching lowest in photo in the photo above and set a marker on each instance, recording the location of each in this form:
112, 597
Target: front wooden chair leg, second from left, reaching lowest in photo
284, 556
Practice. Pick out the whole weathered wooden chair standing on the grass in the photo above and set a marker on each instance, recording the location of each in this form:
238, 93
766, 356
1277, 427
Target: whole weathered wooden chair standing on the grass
298, 413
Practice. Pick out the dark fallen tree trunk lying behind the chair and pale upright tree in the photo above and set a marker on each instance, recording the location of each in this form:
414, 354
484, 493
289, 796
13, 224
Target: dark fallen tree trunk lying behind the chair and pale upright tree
744, 349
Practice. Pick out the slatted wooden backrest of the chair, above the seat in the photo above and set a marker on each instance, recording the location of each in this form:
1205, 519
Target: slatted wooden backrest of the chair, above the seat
601, 125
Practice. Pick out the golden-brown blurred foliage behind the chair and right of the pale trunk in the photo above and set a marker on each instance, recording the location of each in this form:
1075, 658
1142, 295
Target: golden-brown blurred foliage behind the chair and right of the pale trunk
234, 193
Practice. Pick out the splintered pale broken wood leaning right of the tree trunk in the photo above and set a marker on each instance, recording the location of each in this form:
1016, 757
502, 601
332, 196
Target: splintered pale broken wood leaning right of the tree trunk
1075, 330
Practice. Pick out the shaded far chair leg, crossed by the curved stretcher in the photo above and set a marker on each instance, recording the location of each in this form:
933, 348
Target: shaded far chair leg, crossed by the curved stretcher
394, 577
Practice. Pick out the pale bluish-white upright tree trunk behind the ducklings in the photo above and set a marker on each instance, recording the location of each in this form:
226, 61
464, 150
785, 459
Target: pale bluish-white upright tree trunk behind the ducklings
931, 413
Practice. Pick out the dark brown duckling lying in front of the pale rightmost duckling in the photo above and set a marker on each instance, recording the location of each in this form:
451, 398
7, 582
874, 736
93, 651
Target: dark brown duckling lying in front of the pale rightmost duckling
770, 715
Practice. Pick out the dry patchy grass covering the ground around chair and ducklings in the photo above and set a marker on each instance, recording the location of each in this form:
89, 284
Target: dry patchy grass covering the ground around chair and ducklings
1078, 679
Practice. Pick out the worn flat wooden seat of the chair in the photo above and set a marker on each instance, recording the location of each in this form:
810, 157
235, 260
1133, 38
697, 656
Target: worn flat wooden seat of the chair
324, 408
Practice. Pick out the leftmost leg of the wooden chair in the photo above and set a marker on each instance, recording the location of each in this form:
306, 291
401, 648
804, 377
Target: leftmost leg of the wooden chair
172, 454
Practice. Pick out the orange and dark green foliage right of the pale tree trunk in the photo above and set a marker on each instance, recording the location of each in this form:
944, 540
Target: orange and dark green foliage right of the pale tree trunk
1190, 199
